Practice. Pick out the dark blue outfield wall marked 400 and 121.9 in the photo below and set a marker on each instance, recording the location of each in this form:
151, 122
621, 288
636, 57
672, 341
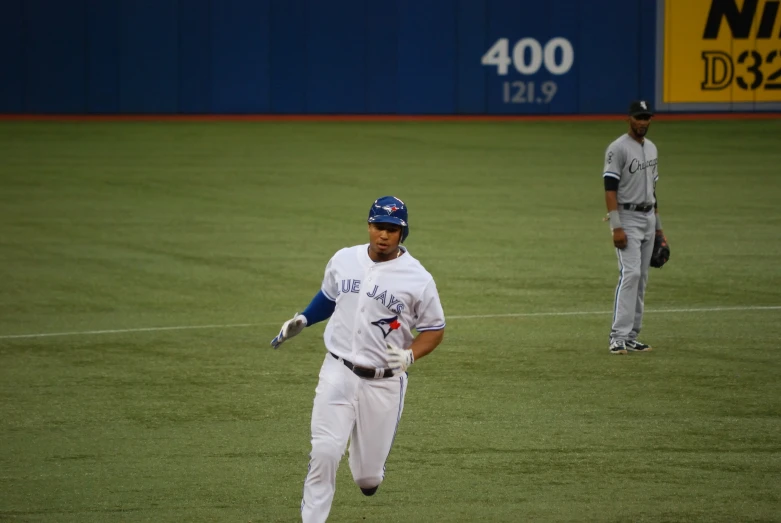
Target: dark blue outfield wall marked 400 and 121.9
326, 56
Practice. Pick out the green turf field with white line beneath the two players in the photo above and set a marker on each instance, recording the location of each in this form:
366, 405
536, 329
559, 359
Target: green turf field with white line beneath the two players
144, 268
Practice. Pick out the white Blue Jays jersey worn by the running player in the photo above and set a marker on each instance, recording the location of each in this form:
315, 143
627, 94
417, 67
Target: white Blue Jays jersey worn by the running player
377, 303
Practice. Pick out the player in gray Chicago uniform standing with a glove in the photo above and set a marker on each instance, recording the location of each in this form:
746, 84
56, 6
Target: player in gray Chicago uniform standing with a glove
630, 177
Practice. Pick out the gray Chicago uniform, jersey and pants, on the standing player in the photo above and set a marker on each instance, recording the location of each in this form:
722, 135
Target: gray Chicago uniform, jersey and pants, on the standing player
635, 167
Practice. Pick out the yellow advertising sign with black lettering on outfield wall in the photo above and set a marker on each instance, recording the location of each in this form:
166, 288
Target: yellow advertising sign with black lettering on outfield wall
721, 51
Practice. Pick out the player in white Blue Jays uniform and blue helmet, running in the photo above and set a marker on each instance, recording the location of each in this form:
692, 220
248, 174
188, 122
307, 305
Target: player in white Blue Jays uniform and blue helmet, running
375, 295
